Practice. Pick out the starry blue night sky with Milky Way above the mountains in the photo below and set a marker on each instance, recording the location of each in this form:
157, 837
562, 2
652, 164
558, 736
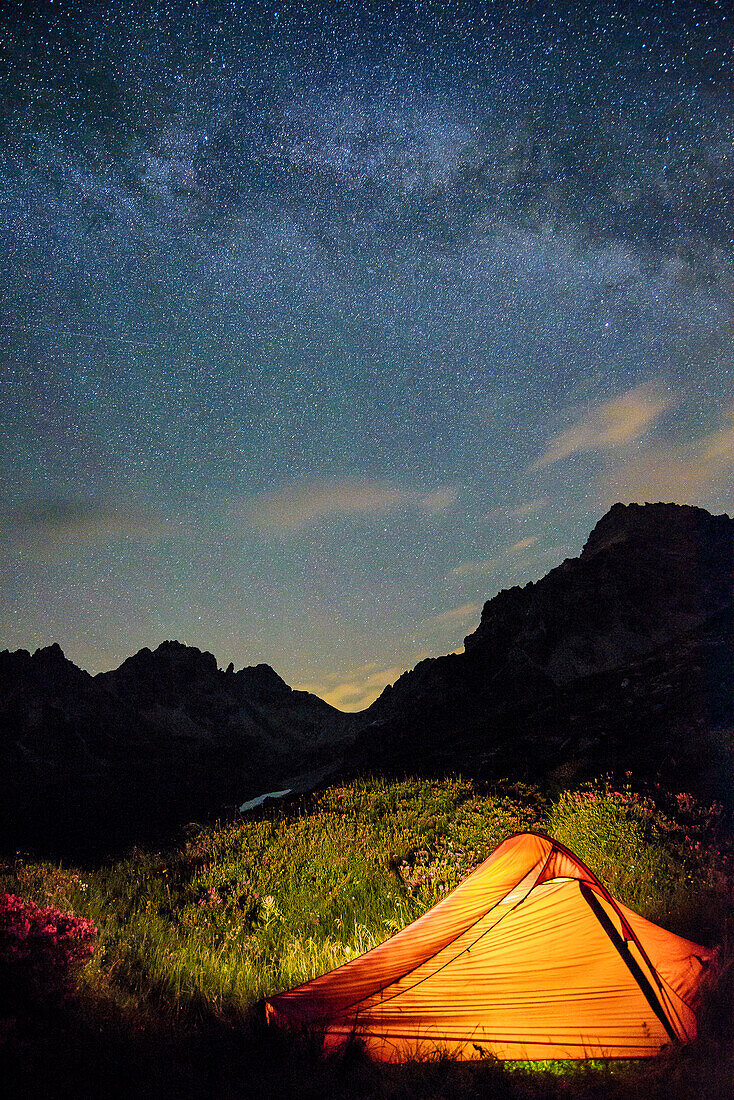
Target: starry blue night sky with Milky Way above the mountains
323, 323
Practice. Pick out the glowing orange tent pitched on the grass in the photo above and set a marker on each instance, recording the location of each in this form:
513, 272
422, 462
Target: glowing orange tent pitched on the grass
531, 958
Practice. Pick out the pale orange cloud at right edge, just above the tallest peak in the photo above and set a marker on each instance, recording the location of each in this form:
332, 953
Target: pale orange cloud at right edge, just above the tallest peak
685, 474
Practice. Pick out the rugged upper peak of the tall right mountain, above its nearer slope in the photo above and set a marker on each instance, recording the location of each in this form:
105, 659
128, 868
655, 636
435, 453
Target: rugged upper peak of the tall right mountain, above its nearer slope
647, 576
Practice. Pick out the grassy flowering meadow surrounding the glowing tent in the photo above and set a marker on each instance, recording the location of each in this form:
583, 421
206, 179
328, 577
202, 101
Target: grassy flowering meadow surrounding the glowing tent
191, 939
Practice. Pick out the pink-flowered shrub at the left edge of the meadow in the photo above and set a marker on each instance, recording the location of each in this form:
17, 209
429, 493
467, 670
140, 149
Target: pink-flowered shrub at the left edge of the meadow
41, 951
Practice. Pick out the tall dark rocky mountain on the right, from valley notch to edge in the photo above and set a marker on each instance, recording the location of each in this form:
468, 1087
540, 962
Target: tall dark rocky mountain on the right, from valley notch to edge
619, 658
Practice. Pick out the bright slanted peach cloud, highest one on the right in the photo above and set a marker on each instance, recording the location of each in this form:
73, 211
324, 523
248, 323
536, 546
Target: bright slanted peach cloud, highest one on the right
610, 425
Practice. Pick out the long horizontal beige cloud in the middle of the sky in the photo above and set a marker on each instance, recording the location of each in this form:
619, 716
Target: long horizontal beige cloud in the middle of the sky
294, 508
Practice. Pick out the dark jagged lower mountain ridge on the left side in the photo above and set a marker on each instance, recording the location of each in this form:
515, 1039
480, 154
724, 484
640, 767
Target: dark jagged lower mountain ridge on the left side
92, 764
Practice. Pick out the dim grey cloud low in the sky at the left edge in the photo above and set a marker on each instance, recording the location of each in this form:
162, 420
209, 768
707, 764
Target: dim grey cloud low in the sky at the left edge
54, 523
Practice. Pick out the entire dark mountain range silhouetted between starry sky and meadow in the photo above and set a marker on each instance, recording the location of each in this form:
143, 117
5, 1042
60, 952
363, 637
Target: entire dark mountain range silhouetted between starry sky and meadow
619, 659
